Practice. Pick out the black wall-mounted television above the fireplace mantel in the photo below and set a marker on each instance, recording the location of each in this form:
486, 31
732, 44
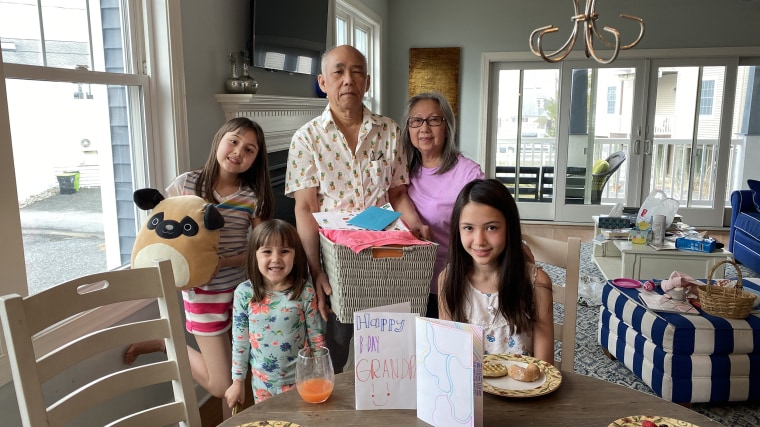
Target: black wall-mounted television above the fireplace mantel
289, 35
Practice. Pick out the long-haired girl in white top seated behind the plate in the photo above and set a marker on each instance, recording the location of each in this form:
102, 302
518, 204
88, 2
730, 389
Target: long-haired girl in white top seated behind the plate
489, 282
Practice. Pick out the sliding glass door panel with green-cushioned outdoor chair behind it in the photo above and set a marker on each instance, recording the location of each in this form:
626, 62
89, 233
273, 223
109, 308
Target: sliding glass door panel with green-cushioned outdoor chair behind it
603, 123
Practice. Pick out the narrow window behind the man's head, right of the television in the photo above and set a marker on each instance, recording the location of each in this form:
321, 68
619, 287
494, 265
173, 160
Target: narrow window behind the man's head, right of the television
359, 27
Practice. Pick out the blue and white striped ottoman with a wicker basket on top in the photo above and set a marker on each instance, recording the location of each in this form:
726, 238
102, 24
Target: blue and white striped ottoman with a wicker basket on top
683, 358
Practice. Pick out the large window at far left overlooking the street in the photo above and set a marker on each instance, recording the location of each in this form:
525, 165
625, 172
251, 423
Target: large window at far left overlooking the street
72, 180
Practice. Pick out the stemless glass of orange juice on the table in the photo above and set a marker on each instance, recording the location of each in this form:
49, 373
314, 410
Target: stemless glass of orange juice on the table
314, 374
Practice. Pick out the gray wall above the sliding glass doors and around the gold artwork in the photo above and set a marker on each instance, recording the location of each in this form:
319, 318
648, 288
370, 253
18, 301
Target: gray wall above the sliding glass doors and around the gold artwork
501, 26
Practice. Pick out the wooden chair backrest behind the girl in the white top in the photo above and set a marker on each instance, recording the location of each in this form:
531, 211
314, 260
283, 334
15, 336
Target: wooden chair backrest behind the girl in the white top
565, 254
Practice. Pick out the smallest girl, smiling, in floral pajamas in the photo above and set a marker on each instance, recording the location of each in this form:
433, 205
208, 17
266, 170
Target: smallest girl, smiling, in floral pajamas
274, 314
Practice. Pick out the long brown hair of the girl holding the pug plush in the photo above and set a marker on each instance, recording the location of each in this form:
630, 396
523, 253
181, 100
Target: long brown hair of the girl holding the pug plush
256, 177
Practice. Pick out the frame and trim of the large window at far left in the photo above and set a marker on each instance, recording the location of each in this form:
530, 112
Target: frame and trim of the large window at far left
165, 127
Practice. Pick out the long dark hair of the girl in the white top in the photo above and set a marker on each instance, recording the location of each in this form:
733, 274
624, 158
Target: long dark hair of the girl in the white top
515, 289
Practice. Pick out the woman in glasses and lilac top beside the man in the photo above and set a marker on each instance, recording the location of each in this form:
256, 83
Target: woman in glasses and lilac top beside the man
437, 171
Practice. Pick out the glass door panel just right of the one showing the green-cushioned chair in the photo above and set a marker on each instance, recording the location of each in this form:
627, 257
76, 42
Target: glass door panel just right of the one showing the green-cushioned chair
687, 149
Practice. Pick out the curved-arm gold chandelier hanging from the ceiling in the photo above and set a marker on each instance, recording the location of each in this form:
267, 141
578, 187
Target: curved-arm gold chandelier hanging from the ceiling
590, 31
